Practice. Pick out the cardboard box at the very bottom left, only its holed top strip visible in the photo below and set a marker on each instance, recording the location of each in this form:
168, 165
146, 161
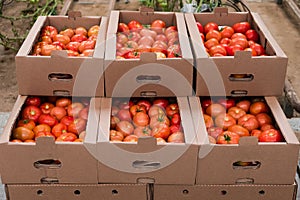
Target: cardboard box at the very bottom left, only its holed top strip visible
78, 191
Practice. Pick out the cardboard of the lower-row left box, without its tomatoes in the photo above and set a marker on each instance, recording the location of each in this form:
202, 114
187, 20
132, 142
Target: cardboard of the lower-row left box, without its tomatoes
47, 161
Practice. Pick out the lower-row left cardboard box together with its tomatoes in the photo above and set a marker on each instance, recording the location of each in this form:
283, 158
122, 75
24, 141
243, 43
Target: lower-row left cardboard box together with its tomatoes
50, 139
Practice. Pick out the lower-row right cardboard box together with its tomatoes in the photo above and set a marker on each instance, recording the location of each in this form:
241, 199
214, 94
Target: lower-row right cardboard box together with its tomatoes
245, 140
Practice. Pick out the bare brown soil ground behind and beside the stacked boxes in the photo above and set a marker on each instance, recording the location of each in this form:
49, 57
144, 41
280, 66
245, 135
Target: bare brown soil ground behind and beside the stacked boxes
272, 14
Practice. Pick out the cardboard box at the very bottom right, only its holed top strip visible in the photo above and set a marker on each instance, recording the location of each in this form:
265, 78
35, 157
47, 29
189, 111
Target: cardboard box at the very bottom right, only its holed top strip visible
226, 192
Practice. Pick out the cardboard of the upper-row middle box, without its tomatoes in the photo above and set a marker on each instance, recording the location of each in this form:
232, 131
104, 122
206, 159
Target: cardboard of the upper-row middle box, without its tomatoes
148, 76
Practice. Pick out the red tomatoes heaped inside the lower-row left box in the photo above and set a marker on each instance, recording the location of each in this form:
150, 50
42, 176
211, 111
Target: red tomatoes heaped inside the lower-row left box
57, 117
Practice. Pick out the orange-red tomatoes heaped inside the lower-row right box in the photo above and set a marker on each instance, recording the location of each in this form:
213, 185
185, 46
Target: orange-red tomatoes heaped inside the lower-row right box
227, 120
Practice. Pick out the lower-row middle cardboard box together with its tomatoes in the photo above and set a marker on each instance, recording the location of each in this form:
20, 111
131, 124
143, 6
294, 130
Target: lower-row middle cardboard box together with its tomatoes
148, 140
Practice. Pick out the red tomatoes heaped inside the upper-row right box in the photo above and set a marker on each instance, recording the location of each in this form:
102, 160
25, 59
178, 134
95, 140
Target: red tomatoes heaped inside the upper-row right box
226, 40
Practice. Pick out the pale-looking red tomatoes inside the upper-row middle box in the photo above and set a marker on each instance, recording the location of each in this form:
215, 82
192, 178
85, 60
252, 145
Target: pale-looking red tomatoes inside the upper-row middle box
134, 38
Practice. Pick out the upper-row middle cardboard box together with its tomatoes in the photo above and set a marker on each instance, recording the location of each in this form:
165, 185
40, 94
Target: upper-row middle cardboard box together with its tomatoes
149, 51
